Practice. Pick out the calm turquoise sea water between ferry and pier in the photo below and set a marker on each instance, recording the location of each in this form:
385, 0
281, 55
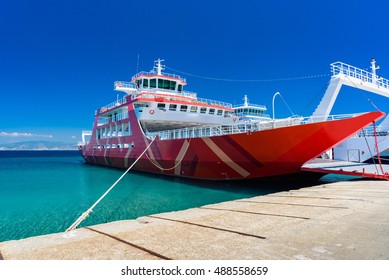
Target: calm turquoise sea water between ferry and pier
44, 192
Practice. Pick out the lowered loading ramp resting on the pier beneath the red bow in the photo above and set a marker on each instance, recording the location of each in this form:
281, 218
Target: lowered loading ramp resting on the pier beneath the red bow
367, 170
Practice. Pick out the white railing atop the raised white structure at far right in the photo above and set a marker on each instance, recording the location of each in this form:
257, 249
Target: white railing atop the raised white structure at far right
351, 71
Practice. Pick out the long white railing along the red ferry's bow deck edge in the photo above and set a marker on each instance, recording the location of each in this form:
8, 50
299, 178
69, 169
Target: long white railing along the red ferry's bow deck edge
243, 127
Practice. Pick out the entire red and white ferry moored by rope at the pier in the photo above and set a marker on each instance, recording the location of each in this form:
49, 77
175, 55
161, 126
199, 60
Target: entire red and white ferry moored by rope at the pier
206, 139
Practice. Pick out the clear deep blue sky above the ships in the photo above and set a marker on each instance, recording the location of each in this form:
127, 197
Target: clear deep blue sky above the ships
59, 59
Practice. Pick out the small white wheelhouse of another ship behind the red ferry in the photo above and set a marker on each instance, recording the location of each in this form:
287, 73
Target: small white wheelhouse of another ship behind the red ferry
251, 112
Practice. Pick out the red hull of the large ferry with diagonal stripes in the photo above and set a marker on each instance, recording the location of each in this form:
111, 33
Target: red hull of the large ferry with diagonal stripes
253, 155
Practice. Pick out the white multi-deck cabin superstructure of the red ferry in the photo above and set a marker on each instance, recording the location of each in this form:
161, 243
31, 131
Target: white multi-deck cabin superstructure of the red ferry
161, 103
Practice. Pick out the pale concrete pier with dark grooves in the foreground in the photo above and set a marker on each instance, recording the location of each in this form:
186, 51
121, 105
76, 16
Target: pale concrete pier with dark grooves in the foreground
343, 220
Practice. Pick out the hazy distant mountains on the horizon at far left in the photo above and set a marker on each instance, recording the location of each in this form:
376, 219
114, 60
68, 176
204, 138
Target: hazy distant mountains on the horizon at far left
38, 145
